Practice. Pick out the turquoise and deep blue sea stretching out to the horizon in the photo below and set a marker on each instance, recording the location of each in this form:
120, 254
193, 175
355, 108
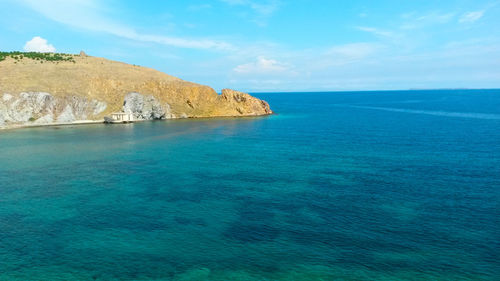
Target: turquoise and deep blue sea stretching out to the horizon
337, 186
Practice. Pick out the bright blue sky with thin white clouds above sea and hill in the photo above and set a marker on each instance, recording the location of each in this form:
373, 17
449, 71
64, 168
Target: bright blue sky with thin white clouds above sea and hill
275, 45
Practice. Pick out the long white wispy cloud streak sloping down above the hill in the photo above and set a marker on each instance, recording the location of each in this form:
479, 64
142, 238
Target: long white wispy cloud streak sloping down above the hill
89, 15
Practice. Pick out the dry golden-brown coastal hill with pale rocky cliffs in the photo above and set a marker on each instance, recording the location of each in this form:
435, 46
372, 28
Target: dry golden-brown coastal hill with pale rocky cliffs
47, 88
